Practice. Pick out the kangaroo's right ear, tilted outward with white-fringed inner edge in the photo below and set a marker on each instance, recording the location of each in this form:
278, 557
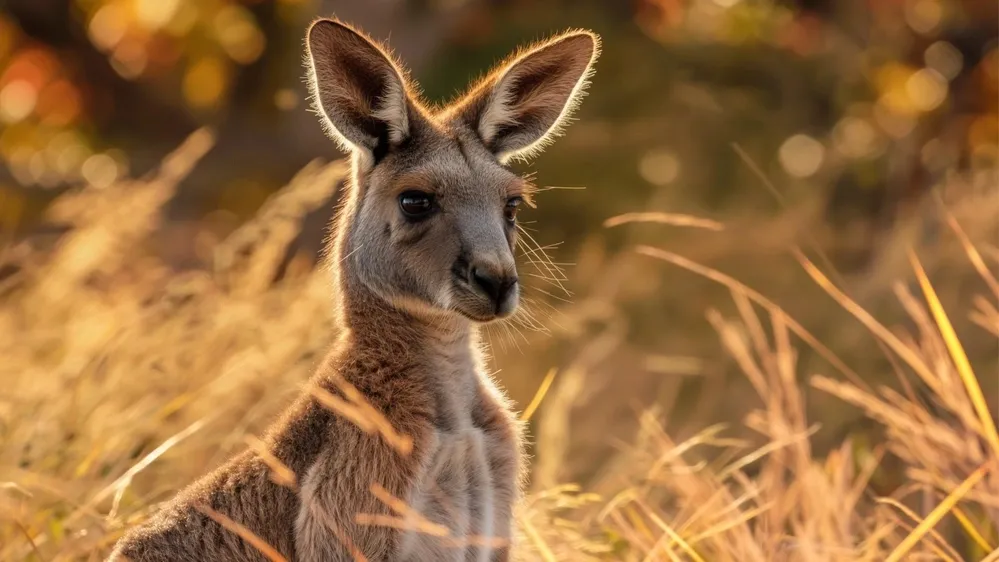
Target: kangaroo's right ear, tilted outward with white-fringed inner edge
525, 102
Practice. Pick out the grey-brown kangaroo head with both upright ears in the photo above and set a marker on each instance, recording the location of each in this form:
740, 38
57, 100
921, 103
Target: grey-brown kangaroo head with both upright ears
430, 222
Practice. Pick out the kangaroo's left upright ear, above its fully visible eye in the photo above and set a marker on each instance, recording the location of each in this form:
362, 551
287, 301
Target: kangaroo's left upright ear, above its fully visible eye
357, 88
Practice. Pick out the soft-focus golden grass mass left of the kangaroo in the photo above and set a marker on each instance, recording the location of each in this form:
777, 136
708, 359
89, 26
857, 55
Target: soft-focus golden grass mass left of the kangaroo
116, 355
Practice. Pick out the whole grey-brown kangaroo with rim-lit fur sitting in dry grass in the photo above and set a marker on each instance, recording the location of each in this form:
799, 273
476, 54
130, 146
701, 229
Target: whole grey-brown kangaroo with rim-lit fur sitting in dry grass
422, 254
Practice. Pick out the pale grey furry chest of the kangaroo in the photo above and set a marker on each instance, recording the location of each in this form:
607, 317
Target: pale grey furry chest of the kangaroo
462, 499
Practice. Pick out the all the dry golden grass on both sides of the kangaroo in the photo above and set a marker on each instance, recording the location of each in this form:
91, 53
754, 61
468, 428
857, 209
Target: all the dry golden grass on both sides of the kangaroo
125, 380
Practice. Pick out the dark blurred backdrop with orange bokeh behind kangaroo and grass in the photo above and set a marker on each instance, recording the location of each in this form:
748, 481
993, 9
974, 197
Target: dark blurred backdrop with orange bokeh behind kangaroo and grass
817, 122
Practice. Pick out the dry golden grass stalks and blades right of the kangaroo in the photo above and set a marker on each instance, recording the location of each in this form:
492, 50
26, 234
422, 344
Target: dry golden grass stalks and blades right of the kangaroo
778, 501
